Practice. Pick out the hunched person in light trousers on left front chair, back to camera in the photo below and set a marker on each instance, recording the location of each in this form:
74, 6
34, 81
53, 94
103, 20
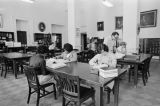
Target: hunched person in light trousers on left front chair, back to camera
38, 60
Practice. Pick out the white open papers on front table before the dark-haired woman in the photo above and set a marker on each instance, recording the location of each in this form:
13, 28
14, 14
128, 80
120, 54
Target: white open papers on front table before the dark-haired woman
53, 63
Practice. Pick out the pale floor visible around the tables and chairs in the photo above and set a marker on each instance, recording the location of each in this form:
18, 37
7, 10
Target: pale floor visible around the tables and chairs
13, 92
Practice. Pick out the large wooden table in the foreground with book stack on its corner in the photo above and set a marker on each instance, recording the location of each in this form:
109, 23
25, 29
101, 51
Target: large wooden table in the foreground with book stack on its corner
83, 70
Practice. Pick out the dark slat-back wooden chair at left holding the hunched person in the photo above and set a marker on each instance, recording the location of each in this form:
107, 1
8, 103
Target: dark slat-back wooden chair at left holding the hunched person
33, 83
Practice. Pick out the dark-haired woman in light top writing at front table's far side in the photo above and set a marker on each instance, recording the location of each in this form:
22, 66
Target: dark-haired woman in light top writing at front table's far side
69, 53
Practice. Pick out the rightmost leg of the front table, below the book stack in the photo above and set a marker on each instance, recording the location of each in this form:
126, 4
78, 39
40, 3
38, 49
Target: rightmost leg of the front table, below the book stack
116, 91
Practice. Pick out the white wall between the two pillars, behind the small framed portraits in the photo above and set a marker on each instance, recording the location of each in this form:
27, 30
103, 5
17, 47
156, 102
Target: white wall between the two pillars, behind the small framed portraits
93, 11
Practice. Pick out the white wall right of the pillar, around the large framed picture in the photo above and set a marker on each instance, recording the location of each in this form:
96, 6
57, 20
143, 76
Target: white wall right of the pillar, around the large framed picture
151, 32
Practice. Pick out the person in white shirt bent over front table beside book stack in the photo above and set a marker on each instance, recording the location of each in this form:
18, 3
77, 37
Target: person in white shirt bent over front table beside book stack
106, 58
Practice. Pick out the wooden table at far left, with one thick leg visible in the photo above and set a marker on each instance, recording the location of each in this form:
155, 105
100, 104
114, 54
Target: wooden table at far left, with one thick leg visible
15, 56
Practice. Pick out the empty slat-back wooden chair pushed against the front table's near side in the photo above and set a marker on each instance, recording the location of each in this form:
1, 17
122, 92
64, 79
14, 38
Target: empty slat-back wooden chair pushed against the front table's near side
72, 92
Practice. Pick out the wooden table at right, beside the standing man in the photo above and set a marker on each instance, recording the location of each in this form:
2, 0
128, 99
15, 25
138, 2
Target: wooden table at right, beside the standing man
134, 60
